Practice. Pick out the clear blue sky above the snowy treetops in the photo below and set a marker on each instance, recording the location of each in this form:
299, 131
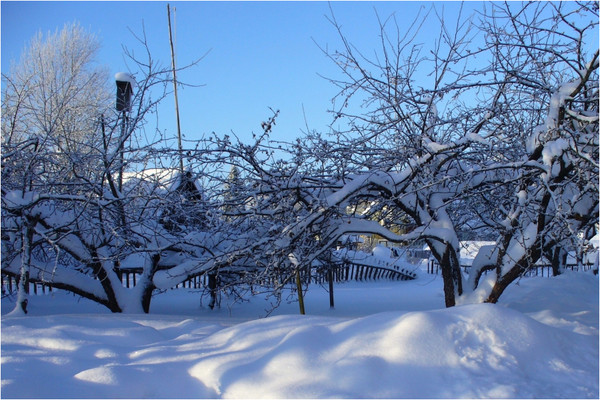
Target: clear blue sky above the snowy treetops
262, 54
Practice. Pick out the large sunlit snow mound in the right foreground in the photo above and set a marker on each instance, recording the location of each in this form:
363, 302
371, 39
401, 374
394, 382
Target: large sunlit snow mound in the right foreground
472, 351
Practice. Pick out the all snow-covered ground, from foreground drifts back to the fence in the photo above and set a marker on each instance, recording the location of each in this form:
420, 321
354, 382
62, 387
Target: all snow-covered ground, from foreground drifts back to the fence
383, 339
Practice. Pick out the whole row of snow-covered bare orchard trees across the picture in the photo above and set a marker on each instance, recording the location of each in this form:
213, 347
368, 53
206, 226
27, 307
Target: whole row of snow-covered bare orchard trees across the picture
491, 130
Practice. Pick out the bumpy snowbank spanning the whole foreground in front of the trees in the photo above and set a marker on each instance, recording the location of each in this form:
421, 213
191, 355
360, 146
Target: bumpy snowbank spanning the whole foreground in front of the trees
473, 351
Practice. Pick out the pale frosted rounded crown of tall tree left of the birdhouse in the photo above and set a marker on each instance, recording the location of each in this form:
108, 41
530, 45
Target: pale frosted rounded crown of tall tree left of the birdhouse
54, 96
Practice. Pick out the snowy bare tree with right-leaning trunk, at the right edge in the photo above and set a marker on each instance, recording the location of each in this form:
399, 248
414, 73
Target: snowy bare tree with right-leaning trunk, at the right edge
549, 55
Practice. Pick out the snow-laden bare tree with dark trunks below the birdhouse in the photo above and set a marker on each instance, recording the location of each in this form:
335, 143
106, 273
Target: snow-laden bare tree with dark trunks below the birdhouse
79, 227
